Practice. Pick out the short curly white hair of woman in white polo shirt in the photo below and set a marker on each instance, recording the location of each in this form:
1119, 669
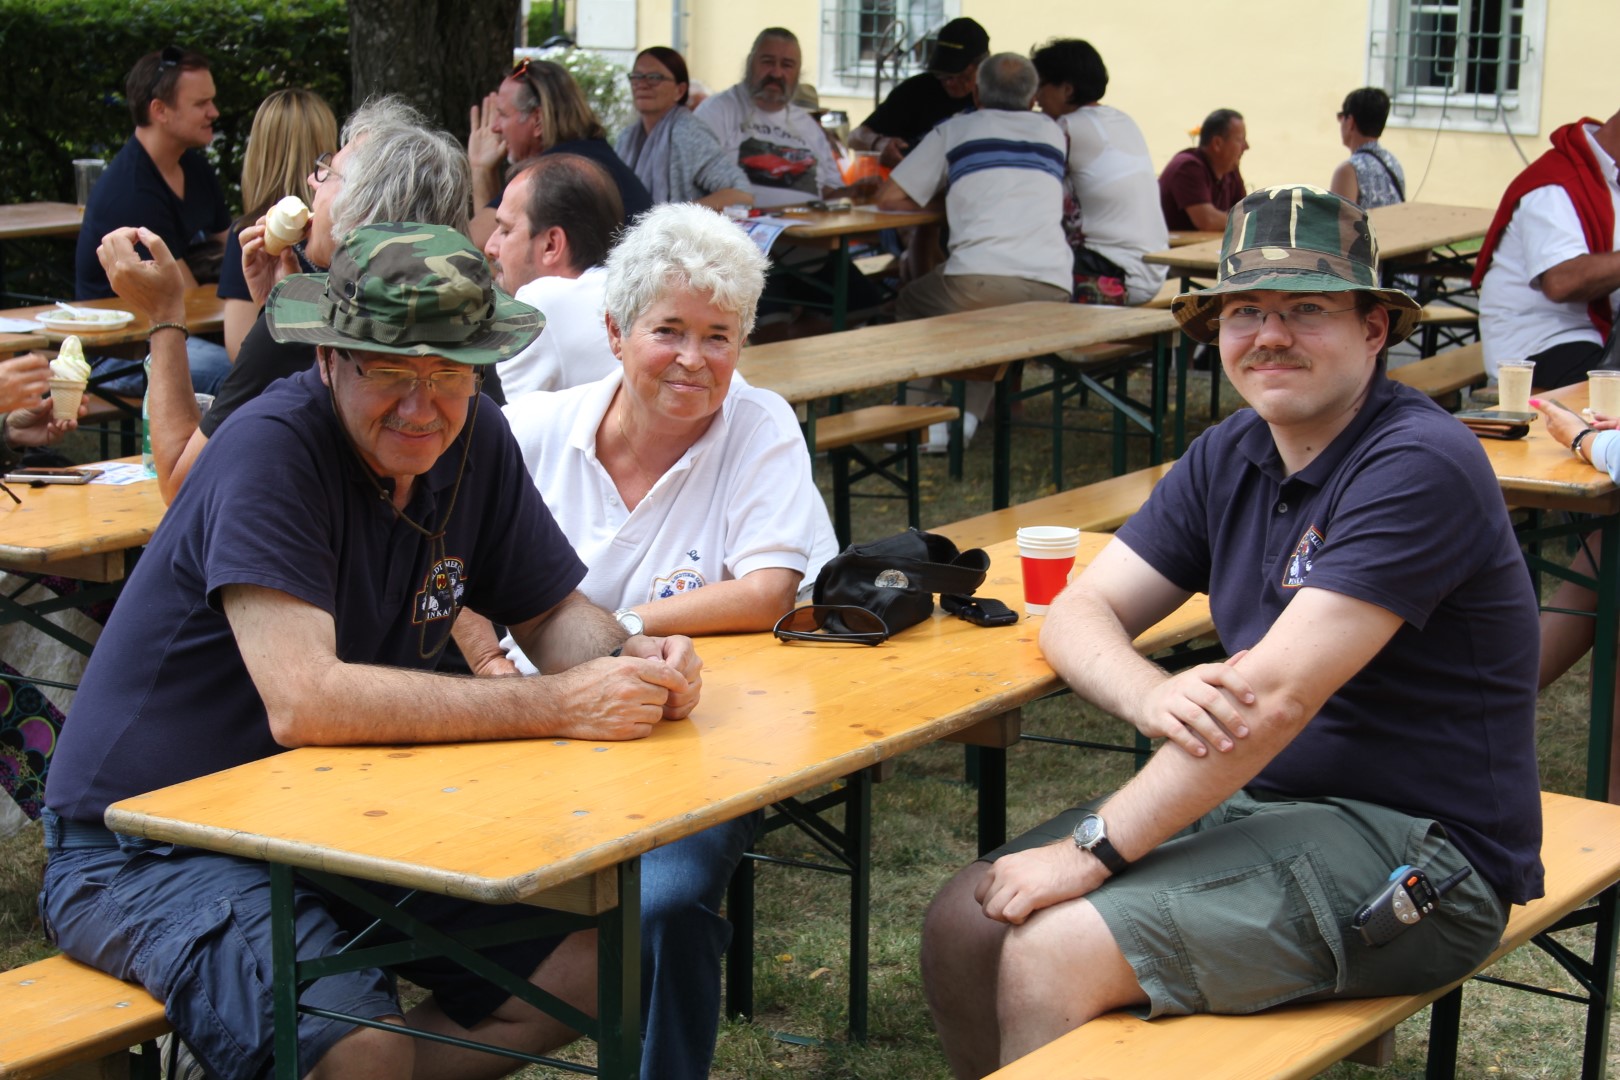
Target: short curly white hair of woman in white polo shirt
684, 245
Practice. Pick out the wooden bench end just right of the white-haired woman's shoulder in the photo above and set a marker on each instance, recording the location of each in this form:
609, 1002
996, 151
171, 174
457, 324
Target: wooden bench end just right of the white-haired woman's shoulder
843, 435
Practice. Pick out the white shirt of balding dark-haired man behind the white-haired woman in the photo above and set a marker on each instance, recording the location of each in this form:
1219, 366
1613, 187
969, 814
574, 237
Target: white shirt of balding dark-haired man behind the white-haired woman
573, 351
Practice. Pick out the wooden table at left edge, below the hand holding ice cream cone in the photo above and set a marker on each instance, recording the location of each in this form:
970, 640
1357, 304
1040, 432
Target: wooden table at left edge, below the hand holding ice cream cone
85, 532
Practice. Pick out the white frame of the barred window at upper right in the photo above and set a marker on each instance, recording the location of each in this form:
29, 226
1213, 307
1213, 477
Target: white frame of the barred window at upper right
1516, 111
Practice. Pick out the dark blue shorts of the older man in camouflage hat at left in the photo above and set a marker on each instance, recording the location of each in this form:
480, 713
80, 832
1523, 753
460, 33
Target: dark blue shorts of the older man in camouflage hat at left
194, 929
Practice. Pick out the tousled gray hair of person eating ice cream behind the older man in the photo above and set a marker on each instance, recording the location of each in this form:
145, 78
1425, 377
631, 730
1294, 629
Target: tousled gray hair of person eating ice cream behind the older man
401, 169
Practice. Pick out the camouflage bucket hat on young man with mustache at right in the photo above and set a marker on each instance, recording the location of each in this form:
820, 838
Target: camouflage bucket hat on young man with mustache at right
1297, 239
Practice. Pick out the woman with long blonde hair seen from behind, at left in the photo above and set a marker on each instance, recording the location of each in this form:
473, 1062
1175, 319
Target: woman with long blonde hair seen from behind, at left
291, 130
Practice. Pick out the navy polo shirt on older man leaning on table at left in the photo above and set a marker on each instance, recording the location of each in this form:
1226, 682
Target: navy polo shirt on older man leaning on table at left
281, 501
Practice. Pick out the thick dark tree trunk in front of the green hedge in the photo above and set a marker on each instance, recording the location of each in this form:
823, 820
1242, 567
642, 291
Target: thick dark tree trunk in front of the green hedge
441, 56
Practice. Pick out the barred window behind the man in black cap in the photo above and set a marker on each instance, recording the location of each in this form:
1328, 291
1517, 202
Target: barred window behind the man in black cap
874, 45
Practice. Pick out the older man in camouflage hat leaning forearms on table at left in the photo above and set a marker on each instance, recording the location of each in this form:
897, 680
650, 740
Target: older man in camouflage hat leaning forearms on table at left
299, 593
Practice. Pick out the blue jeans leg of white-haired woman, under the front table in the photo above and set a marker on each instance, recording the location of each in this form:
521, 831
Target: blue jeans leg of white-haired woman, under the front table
683, 942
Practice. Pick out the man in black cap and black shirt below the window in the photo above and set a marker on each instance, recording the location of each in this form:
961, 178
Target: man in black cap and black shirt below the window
916, 106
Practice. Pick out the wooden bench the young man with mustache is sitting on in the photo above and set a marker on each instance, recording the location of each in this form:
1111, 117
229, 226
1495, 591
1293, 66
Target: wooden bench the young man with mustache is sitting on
1582, 853
